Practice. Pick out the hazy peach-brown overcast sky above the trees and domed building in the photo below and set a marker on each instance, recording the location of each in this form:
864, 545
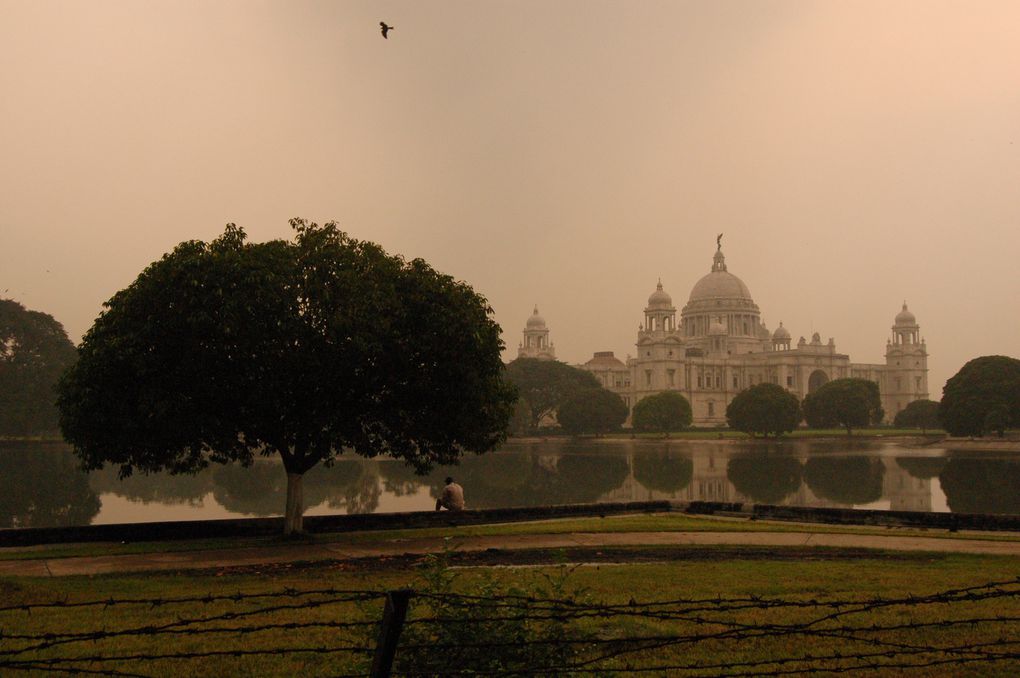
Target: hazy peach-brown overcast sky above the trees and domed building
566, 154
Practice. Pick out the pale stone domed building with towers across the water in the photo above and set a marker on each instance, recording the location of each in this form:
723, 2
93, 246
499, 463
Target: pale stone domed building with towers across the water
720, 346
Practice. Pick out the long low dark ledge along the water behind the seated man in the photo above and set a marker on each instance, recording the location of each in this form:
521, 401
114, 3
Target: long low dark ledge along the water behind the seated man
205, 530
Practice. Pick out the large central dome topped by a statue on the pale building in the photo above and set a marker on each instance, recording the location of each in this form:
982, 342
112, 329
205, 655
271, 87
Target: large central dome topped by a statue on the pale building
723, 297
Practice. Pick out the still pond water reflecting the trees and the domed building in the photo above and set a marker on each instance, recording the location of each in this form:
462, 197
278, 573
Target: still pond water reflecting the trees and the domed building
41, 486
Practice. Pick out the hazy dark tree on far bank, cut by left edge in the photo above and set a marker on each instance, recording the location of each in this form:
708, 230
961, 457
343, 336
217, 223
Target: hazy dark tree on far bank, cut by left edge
34, 352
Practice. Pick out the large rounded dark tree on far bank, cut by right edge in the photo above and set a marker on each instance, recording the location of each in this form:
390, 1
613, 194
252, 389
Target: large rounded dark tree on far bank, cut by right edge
983, 386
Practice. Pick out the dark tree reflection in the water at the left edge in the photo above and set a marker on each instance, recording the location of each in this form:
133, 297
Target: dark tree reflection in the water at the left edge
41, 486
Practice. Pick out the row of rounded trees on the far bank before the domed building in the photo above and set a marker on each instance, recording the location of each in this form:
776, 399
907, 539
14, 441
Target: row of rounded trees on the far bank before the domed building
983, 398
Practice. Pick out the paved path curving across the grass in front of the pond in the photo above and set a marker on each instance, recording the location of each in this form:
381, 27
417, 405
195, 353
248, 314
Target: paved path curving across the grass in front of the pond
293, 553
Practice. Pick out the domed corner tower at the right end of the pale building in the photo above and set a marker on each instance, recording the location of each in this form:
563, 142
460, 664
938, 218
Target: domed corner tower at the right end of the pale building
906, 366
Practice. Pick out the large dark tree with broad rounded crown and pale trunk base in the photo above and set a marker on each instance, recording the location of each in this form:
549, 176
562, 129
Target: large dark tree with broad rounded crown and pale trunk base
226, 350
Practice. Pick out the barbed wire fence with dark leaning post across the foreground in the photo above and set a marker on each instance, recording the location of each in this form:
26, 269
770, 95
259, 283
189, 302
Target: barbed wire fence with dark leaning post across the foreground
342, 633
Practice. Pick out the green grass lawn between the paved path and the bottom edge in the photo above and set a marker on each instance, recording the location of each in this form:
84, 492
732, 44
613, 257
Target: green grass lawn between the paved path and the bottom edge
286, 620
